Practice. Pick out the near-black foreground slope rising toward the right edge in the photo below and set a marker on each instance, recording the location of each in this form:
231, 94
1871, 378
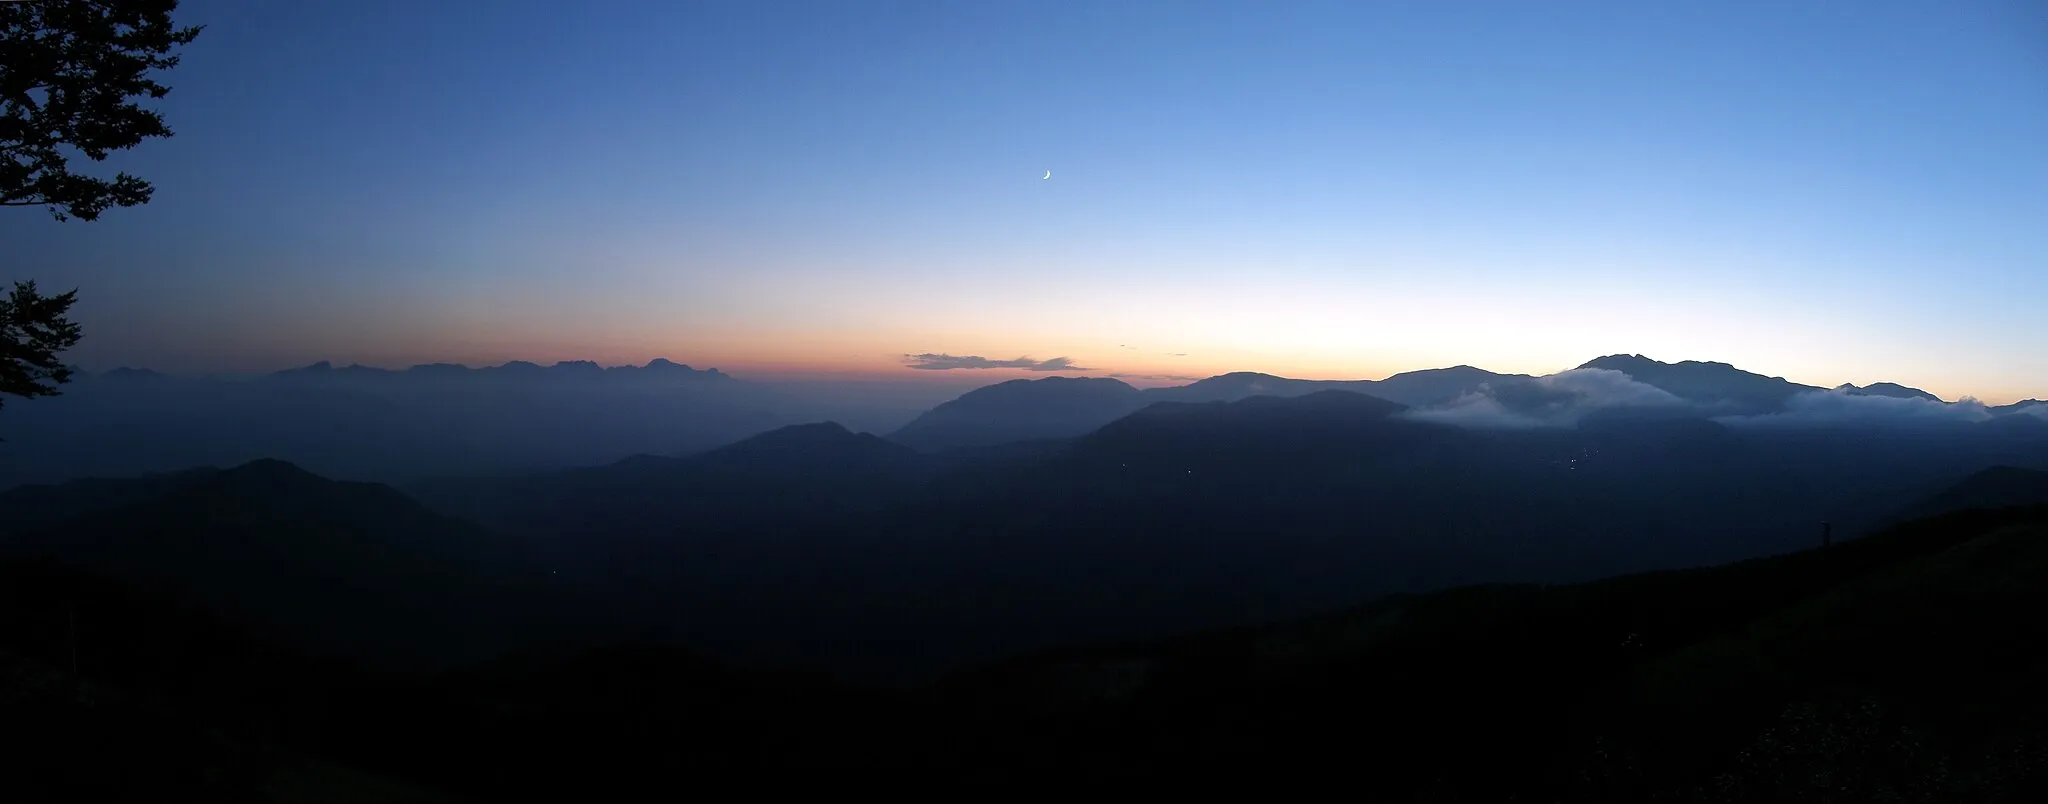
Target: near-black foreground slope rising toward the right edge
1893, 666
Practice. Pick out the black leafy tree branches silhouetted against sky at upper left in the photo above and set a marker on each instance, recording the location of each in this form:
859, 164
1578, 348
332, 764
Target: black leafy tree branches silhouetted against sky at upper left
71, 75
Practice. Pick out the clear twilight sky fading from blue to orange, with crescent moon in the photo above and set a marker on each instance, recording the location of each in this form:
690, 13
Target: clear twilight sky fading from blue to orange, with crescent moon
1822, 191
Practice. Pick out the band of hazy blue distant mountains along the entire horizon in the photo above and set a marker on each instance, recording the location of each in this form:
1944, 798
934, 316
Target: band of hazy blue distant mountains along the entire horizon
441, 420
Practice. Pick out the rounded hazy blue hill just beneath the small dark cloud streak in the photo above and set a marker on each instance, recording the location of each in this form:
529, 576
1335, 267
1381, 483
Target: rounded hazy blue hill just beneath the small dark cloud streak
1021, 410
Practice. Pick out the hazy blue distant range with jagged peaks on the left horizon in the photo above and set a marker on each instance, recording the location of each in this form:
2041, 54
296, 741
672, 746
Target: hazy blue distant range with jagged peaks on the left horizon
374, 425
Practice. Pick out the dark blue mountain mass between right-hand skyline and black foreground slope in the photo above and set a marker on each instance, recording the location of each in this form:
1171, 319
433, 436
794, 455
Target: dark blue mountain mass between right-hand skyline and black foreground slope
1193, 515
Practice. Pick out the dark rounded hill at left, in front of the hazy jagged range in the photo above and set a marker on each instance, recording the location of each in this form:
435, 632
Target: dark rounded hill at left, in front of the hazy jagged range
341, 568
